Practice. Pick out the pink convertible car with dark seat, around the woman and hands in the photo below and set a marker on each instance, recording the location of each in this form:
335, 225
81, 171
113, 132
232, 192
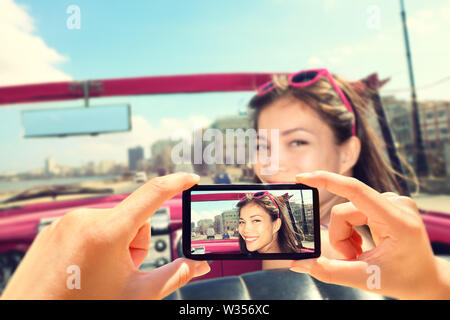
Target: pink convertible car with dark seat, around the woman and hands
20, 223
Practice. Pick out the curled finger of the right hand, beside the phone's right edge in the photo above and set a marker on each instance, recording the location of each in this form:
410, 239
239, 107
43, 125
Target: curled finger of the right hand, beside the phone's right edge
343, 237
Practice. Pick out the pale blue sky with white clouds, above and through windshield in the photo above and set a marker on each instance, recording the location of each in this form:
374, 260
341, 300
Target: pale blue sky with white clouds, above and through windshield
143, 38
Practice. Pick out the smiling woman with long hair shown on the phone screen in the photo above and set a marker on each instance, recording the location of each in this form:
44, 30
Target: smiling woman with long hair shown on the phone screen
264, 226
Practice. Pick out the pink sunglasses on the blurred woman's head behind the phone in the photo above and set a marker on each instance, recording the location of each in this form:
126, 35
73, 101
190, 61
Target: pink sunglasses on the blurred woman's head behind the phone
306, 78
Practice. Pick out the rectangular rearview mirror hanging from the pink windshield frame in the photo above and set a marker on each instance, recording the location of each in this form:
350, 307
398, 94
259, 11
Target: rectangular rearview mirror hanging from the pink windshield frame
76, 121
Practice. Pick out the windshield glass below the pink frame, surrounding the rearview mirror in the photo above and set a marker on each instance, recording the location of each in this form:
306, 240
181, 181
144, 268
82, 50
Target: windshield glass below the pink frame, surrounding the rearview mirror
121, 161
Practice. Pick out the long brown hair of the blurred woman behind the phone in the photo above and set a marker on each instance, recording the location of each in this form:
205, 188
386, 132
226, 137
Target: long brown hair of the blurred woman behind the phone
371, 168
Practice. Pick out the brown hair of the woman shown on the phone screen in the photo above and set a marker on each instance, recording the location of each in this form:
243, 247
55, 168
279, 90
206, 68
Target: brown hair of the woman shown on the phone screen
288, 240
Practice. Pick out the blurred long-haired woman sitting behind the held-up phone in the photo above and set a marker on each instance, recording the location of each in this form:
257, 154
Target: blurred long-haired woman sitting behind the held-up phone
322, 126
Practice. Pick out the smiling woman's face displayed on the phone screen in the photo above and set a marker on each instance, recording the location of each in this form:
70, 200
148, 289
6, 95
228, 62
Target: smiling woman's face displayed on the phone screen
257, 228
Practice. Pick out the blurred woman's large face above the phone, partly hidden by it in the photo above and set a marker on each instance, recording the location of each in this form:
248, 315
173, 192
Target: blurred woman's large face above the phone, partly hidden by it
306, 142
